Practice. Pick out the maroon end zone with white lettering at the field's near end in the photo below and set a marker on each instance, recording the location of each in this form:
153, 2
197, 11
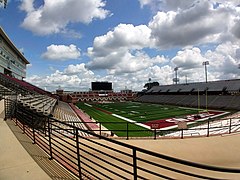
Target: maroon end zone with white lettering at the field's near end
165, 123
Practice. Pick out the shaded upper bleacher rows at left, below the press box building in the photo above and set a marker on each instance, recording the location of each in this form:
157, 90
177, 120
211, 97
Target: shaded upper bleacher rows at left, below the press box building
28, 96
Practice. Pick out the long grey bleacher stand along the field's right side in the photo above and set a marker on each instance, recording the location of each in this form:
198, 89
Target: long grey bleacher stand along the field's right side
218, 94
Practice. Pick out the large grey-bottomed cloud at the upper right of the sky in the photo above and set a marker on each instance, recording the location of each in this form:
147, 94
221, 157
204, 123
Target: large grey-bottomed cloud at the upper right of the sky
199, 24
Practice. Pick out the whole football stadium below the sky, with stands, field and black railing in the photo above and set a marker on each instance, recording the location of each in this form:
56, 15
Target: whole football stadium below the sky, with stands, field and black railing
102, 134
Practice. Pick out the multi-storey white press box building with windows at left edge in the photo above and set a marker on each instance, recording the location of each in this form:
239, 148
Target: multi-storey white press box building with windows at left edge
12, 61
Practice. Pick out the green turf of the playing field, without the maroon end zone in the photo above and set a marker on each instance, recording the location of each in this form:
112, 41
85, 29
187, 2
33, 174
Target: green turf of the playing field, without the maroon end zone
139, 112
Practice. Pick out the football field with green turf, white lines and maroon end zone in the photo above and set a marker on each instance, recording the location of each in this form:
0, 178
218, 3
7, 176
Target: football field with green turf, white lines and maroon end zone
138, 118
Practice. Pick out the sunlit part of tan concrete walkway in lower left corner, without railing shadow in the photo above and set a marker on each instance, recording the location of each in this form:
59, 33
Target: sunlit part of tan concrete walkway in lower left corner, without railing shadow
15, 162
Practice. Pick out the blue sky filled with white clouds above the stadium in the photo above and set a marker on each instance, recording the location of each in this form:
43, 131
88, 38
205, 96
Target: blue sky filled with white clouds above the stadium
71, 43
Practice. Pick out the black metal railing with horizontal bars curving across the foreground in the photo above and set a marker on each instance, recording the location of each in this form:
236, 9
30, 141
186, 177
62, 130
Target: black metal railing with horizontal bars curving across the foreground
98, 157
